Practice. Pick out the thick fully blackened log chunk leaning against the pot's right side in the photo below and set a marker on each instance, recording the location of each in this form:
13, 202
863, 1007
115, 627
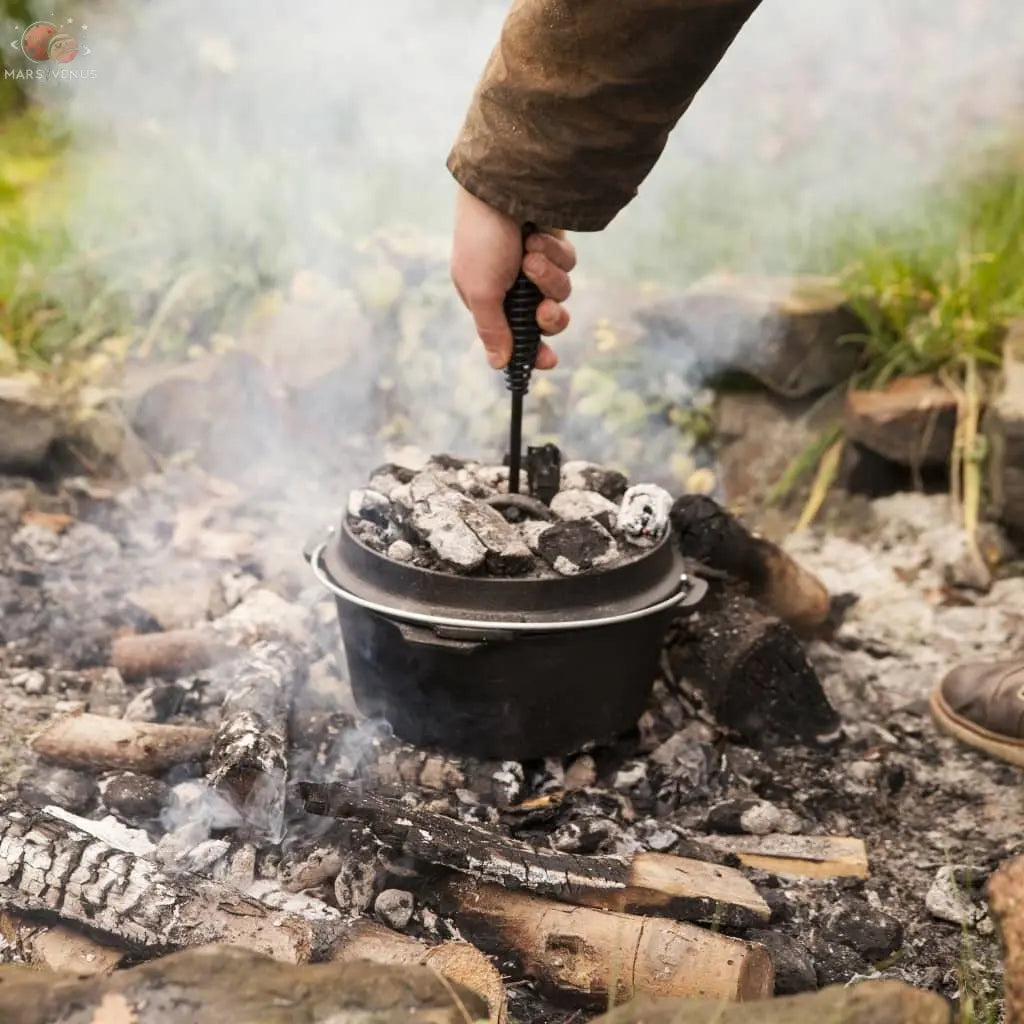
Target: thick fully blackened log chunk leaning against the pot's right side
752, 671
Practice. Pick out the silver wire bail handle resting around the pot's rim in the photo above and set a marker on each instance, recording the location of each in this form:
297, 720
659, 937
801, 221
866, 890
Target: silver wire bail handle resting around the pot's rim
690, 591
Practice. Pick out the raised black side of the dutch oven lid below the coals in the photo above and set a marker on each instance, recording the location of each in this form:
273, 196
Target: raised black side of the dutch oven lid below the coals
641, 583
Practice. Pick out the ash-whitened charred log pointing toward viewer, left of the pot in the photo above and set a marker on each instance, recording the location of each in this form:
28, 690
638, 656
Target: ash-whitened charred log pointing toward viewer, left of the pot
248, 762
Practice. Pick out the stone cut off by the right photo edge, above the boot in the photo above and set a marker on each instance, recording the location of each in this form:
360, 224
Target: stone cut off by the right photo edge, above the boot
1004, 426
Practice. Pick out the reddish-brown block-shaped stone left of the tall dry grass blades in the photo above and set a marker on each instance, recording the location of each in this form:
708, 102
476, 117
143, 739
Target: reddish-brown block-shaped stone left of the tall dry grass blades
911, 421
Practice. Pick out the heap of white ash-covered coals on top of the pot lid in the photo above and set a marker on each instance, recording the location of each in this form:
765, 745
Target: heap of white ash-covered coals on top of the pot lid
457, 516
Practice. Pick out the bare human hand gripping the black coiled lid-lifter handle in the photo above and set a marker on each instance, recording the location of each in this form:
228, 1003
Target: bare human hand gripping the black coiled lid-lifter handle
487, 255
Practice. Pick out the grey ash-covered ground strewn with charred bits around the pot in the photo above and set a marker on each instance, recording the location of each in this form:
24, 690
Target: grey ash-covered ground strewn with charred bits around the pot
80, 564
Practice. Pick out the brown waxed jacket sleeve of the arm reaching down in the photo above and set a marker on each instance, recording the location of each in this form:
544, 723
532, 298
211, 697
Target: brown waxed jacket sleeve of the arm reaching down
578, 100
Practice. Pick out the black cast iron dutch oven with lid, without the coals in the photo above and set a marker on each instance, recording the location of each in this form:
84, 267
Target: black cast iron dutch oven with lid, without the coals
502, 668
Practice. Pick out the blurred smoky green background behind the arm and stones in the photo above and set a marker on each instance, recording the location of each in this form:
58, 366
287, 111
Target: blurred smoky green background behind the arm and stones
274, 181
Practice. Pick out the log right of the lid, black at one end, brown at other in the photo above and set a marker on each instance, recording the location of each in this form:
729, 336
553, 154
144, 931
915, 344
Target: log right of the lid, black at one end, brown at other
708, 534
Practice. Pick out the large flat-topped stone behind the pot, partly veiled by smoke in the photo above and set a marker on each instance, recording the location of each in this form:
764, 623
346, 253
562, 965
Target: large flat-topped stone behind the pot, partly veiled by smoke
792, 334
